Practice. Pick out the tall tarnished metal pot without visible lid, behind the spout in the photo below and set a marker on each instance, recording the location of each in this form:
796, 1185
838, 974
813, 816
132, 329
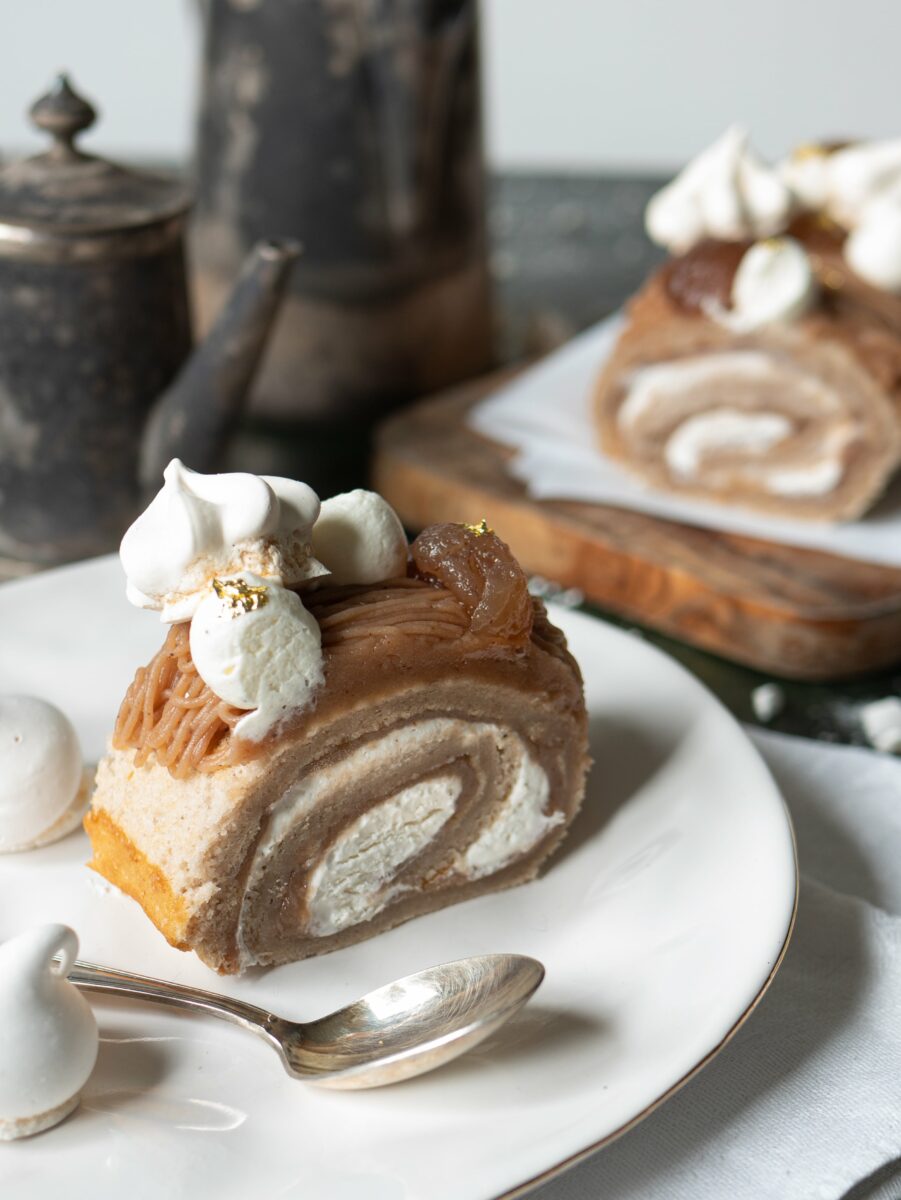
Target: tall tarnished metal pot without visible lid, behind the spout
355, 127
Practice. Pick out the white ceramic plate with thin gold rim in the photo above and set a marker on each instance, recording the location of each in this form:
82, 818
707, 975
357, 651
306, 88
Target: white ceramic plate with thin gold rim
660, 922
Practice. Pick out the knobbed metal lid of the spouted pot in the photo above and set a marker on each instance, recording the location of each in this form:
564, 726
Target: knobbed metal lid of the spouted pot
65, 194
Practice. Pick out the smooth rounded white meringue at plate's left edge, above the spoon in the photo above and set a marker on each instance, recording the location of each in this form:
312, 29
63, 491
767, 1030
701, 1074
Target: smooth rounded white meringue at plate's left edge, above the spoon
44, 785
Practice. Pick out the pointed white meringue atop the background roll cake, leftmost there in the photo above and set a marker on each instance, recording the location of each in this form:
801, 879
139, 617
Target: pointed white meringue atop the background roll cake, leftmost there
728, 193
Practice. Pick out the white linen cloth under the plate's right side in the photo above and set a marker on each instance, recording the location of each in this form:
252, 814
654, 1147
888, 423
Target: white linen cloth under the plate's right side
806, 1102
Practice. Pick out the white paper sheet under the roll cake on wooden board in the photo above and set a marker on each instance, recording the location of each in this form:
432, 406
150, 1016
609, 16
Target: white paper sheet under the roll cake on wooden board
545, 415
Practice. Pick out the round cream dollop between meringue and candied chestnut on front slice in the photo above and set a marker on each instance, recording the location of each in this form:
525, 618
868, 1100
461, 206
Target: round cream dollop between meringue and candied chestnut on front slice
359, 539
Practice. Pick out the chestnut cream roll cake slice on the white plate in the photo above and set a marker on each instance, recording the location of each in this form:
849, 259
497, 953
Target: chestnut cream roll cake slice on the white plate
440, 754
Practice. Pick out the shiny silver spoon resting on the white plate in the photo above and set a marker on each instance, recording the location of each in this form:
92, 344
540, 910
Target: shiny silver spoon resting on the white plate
399, 1031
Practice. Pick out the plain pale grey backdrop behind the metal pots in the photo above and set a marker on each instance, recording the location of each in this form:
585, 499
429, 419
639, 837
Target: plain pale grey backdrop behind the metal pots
579, 85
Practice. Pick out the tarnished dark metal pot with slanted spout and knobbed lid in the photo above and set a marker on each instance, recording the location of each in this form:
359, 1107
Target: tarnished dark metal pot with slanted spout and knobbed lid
99, 385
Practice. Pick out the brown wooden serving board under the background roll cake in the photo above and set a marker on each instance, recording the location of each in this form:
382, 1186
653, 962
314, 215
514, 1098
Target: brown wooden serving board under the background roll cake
798, 614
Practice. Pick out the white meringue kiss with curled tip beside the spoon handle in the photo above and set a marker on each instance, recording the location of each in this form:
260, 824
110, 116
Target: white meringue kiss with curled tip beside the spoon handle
49, 1035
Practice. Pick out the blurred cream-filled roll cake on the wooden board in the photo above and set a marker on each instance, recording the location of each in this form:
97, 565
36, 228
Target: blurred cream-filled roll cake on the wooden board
764, 373
